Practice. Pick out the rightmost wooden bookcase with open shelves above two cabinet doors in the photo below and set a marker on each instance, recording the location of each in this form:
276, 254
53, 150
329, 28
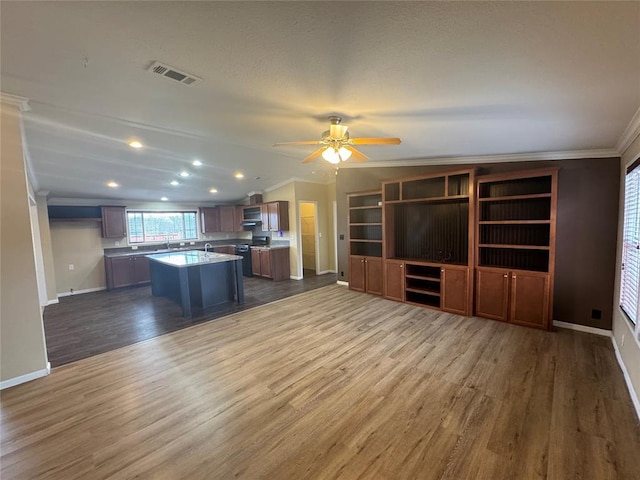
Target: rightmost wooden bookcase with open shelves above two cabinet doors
516, 247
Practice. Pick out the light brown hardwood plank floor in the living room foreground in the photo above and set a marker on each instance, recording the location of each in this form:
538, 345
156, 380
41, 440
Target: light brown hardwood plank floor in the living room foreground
331, 384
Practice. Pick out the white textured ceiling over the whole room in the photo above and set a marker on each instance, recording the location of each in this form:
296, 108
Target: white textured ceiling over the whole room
450, 79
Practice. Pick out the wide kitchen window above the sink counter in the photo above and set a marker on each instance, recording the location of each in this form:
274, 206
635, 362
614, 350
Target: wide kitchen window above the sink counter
161, 226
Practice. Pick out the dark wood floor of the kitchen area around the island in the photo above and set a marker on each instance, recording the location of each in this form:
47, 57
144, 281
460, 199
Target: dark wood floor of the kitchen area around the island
81, 326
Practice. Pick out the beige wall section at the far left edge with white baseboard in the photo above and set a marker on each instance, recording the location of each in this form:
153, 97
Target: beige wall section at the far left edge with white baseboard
22, 343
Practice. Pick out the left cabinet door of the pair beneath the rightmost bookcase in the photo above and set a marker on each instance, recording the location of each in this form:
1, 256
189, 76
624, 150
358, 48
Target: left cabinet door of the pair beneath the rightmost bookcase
492, 293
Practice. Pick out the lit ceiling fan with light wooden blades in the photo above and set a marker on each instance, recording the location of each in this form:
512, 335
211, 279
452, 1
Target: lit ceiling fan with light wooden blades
337, 145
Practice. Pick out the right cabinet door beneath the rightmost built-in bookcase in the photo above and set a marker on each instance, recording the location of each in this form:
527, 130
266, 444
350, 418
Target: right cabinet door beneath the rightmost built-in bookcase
530, 299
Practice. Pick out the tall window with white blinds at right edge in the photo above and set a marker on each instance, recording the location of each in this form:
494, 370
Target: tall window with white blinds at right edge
630, 276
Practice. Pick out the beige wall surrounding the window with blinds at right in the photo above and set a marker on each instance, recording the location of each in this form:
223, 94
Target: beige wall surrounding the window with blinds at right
630, 351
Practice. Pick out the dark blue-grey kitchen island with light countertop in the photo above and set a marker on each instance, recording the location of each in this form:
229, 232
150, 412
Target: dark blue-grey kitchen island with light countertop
197, 280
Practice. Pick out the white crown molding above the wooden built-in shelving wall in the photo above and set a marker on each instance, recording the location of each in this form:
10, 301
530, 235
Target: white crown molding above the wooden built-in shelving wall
518, 157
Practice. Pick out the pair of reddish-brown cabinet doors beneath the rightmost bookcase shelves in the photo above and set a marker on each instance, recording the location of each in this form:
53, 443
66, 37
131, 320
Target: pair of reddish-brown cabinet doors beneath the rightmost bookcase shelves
520, 297
